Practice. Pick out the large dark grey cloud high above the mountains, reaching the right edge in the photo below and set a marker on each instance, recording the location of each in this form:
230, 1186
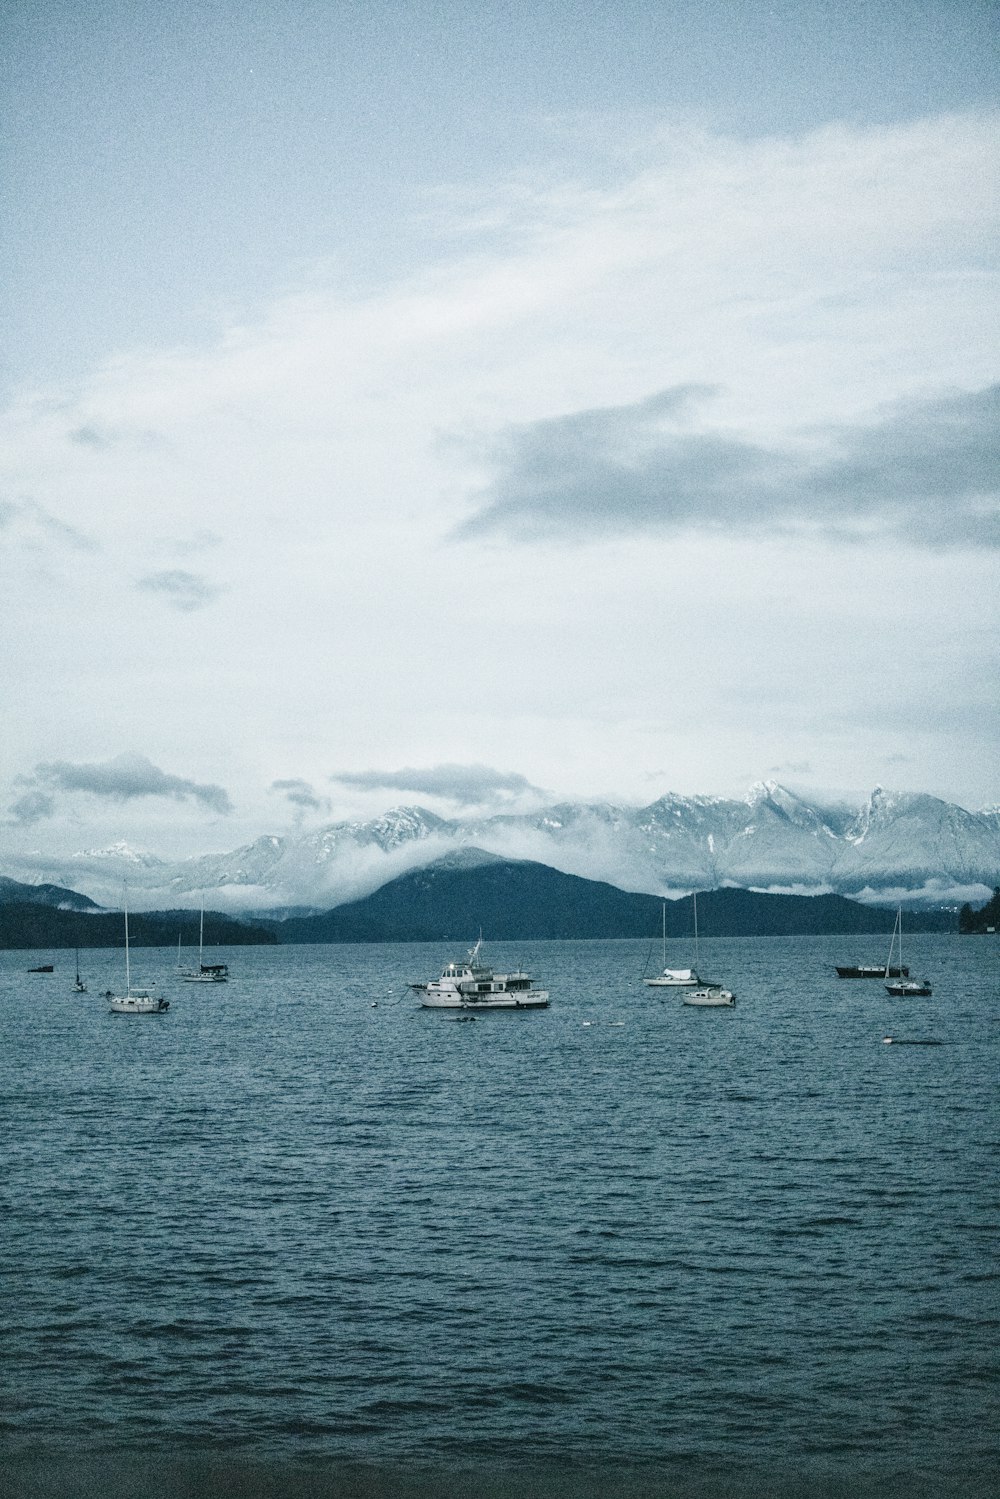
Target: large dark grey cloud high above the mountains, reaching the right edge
924, 471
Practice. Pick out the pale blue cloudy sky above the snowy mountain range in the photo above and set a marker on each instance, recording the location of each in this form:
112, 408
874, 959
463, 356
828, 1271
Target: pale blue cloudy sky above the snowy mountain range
478, 405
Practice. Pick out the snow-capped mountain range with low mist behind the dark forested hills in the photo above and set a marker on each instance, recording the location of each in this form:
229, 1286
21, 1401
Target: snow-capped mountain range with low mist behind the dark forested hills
899, 846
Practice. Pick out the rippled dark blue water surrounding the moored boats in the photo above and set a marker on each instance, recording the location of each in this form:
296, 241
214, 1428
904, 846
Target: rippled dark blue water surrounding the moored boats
287, 1240
